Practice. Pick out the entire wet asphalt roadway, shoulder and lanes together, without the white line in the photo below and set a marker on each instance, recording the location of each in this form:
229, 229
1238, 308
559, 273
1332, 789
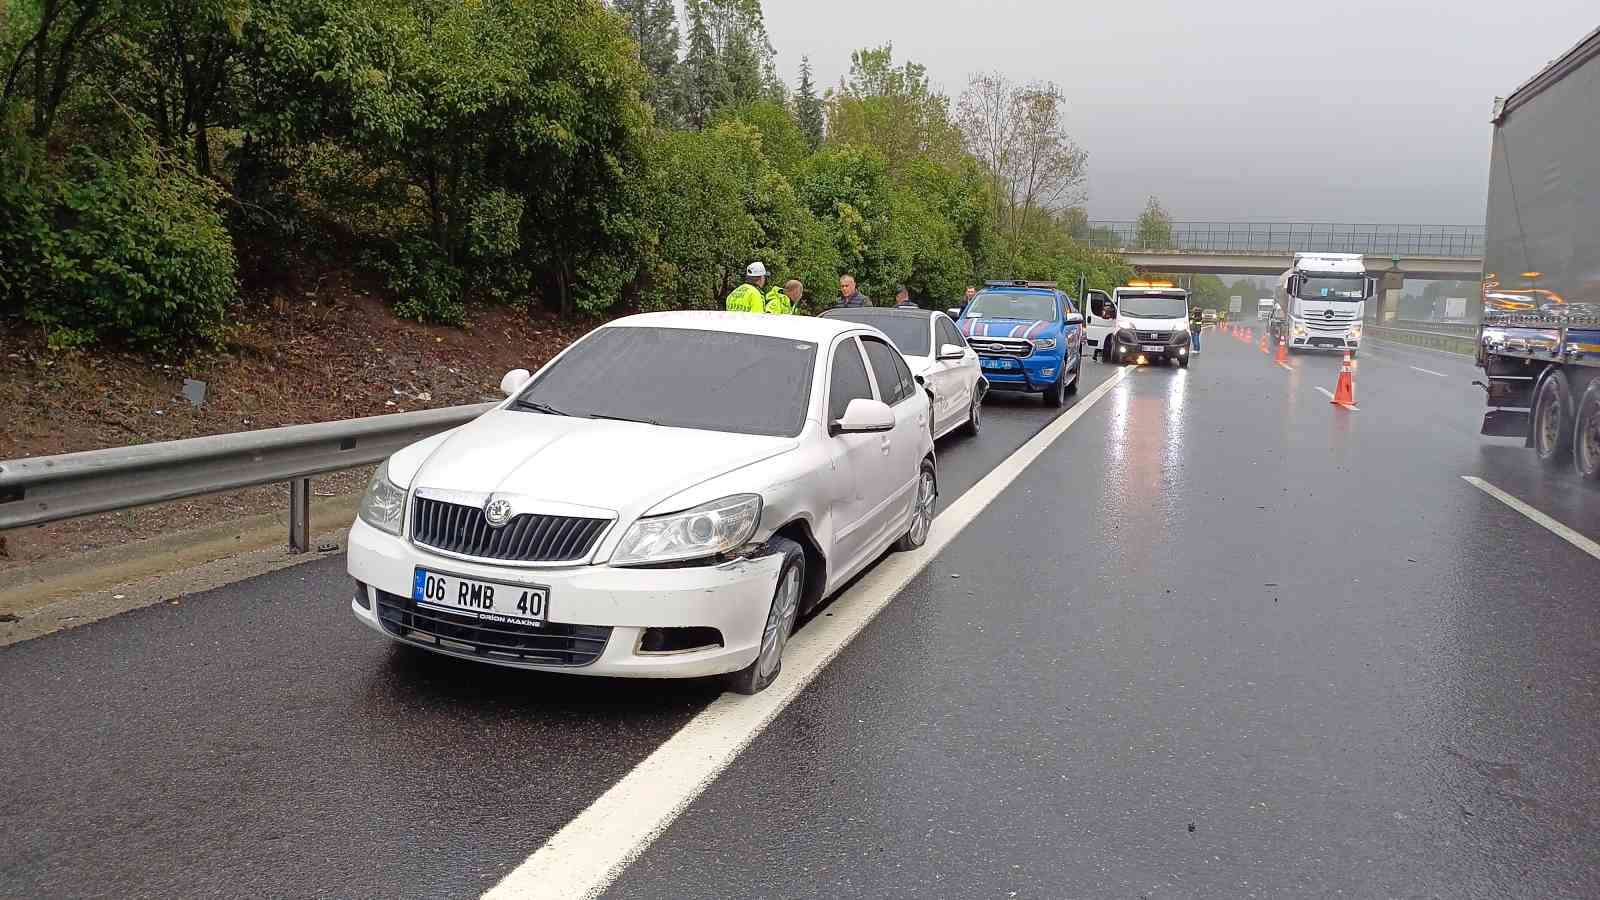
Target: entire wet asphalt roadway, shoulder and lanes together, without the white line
1222, 640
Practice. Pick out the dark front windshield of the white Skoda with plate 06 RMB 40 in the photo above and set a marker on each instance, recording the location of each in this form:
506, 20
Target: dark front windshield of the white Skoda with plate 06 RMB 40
681, 379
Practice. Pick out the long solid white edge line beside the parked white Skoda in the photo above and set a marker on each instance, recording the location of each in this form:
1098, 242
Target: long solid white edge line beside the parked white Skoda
593, 850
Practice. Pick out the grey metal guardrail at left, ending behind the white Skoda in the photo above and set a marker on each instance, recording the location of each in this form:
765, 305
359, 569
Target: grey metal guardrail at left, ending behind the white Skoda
49, 489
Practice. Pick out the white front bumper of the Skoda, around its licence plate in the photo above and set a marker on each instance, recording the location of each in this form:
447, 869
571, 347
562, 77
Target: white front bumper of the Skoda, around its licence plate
599, 609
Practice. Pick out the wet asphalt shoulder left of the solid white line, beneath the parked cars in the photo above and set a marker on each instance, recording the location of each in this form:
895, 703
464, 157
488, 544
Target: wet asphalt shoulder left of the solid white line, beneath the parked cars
258, 742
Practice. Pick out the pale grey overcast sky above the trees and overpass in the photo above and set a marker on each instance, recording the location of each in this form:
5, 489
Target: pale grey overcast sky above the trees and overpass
1358, 111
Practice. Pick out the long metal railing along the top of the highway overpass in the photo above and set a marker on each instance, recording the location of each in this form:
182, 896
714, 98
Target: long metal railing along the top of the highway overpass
1290, 238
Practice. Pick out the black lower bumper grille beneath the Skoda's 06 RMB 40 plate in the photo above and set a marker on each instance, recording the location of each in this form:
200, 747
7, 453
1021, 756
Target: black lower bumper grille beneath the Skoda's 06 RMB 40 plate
551, 645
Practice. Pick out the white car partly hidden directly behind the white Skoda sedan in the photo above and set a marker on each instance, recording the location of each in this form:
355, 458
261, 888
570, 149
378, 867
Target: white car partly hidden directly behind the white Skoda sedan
938, 358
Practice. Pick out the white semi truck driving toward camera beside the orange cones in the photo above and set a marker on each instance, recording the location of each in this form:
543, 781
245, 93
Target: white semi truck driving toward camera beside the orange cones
1321, 302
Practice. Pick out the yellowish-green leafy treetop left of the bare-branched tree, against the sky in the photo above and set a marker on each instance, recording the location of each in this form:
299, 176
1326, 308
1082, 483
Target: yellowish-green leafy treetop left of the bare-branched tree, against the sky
892, 110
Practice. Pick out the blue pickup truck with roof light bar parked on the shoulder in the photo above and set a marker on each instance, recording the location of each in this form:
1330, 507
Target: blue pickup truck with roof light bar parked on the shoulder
1028, 335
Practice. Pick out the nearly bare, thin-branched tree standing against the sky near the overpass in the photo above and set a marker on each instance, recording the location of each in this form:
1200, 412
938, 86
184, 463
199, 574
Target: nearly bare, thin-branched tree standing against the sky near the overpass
1018, 134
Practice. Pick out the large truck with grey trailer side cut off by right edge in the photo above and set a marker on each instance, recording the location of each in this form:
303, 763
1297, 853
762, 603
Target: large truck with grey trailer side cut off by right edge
1540, 334
